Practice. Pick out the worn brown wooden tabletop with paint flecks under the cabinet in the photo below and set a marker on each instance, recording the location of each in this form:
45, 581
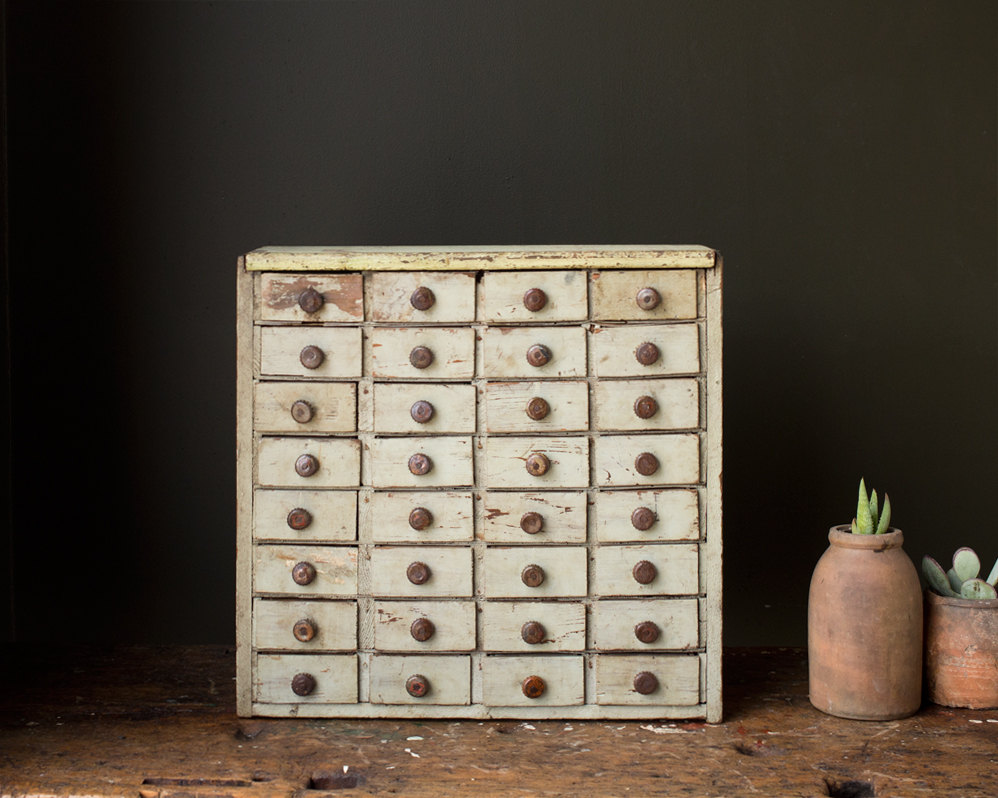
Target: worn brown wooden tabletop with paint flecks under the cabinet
160, 721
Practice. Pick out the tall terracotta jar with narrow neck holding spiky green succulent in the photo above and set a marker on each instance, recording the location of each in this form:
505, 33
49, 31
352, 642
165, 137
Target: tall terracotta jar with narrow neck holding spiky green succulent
864, 628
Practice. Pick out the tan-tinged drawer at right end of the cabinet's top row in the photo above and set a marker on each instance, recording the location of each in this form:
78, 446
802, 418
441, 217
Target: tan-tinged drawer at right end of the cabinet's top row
639, 295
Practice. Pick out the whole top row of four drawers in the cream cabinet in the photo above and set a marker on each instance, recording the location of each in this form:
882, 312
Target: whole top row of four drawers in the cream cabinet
506, 297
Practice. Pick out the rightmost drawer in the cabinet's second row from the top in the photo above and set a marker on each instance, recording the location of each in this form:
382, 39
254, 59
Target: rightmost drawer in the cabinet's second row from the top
640, 350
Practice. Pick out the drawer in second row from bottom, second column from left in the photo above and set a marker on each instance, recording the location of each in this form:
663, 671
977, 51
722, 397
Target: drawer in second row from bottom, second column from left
424, 625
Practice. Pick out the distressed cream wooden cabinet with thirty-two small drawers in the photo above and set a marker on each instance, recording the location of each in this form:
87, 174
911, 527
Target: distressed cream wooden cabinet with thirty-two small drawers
479, 482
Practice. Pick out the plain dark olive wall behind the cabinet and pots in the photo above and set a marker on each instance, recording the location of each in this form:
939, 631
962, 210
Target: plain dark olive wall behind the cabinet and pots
840, 154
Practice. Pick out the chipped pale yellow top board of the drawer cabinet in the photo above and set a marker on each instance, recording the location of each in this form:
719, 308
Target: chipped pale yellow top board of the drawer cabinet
615, 256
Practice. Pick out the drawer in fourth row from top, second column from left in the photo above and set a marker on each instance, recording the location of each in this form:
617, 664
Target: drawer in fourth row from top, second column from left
421, 462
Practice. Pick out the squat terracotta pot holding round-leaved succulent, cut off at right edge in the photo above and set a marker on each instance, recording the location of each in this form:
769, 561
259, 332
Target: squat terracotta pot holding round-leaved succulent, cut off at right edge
961, 651
